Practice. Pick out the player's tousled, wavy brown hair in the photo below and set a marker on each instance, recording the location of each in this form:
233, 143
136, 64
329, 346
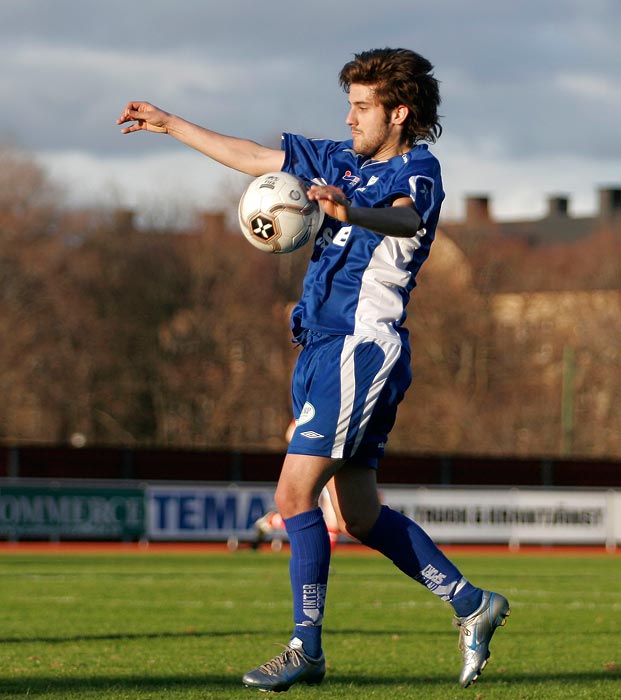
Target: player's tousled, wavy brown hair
400, 77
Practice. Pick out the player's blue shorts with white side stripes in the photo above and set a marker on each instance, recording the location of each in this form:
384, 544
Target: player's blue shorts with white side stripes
345, 394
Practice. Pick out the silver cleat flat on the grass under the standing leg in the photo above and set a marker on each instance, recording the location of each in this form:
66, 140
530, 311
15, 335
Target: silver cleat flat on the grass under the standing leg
289, 667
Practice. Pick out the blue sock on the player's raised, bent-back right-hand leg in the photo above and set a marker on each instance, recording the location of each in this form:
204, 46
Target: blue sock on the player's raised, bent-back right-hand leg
411, 549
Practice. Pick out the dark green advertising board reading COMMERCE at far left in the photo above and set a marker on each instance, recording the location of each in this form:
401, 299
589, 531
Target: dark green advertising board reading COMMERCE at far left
62, 512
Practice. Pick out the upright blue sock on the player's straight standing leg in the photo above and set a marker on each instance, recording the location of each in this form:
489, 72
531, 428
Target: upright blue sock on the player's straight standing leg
308, 569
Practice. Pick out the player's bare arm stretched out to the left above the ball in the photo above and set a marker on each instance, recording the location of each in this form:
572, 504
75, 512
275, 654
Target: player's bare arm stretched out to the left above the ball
241, 154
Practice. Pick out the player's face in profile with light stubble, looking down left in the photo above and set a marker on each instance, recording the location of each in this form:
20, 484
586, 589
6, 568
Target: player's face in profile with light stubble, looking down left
373, 132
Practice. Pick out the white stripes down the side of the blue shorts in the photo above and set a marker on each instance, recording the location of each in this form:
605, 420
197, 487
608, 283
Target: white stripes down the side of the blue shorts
392, 353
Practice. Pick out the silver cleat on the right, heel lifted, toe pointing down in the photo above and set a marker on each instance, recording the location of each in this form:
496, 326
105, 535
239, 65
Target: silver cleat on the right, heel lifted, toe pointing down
475, 634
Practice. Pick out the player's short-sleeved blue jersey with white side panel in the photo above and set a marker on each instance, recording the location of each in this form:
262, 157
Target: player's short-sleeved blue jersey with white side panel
358, 282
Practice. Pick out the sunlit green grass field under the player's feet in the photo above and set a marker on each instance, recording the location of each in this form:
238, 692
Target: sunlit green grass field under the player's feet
146, 626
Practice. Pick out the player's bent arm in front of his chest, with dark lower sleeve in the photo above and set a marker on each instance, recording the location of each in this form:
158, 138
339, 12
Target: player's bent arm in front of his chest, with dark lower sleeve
401, 220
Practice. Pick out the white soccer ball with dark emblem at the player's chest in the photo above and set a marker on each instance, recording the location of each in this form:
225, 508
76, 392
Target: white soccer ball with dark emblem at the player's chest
275, 214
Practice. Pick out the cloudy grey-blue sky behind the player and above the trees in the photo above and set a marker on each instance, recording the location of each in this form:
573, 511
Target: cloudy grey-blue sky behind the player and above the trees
531, 90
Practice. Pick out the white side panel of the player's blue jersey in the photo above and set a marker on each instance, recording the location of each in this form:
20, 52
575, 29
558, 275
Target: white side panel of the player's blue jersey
380, 302
